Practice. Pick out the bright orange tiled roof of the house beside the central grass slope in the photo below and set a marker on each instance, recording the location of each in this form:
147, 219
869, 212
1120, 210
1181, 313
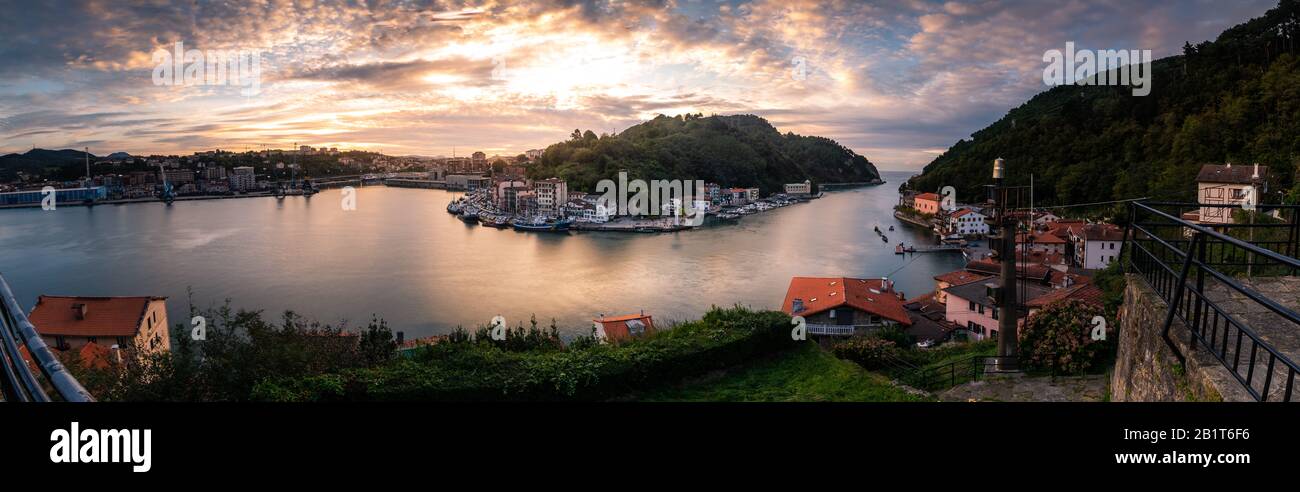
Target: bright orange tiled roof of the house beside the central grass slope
824, 294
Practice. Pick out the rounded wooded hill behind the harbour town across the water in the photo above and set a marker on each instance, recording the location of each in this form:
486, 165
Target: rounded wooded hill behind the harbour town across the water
740, 150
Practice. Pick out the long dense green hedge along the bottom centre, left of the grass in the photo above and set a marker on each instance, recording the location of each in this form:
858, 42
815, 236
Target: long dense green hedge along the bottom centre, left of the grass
478, 372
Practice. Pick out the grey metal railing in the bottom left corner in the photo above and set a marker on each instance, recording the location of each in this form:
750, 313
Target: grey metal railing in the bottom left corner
18, 379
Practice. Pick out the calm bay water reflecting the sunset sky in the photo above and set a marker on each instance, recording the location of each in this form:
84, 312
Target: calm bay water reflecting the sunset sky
402, 257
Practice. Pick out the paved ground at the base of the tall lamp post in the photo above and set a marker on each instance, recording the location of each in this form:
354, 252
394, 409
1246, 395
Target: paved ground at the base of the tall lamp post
1025, 389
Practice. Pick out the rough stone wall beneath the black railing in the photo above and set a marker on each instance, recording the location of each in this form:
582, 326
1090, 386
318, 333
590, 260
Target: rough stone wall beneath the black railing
1146, 368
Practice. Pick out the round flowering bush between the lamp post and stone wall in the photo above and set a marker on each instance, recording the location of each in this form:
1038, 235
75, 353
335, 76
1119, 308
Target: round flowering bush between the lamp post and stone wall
1060, 338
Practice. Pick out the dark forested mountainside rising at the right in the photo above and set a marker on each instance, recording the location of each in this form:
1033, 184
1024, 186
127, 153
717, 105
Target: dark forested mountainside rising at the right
1234, 100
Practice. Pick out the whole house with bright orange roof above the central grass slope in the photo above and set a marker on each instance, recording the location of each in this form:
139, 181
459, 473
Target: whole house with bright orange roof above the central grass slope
846, 307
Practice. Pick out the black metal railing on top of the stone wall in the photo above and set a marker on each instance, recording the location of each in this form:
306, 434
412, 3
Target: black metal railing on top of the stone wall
1198, 267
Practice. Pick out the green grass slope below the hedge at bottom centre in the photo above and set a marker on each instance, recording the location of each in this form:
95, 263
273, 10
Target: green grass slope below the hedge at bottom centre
804, 374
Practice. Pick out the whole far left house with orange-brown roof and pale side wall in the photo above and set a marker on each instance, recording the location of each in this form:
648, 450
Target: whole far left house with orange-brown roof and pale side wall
131, 323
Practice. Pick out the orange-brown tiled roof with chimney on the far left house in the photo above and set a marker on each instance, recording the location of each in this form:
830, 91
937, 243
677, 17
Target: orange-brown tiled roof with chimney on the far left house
106, 317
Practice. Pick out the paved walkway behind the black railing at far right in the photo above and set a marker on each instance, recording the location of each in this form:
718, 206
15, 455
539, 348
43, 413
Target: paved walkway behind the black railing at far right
1275, 330
